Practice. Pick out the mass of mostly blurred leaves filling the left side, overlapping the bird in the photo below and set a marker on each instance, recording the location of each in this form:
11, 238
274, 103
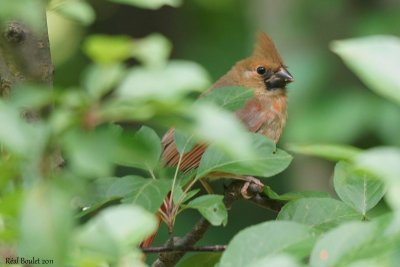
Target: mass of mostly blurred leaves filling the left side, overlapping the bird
84, 128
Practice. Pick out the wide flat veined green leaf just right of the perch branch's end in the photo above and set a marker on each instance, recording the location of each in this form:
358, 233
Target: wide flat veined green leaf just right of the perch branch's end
320, 213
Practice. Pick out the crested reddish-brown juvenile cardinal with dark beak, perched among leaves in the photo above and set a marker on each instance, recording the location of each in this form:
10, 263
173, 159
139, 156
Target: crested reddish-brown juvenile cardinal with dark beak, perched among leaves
266, 113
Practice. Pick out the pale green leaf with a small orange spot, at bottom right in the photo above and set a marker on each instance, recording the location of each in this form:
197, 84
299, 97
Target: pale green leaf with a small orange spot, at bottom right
345, 239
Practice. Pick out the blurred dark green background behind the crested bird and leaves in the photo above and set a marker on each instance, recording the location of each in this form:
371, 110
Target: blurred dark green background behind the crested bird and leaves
327, 102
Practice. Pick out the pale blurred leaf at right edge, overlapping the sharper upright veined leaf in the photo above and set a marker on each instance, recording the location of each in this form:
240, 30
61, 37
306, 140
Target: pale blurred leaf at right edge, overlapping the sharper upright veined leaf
384, 162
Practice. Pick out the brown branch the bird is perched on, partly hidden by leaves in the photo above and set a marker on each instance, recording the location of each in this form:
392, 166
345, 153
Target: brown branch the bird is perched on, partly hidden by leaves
176, 247
